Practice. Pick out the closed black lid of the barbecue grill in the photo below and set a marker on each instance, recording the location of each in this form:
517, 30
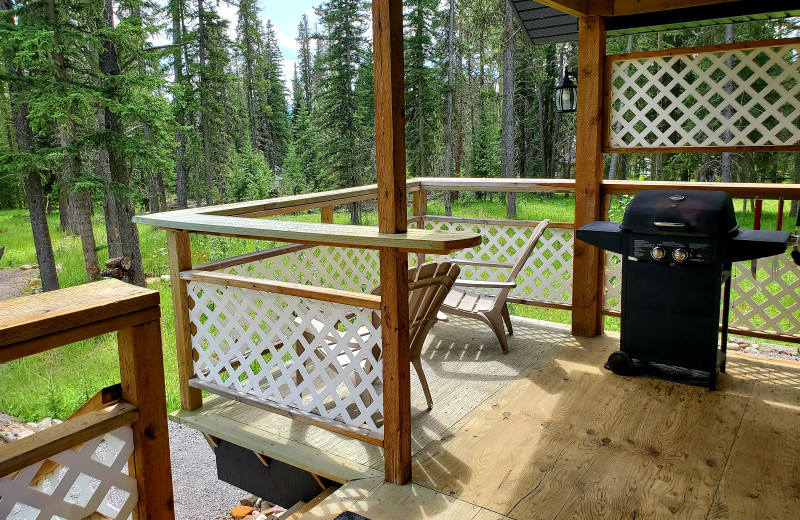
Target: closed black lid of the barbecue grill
684, 212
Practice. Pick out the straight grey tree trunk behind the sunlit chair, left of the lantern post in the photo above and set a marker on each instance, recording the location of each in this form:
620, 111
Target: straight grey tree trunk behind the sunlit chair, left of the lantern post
507, 151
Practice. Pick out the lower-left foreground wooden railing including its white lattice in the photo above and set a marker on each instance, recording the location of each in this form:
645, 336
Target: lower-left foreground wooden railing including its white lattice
69, 470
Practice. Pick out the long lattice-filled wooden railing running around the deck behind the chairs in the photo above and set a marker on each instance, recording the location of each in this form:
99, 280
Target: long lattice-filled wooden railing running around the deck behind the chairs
327, 272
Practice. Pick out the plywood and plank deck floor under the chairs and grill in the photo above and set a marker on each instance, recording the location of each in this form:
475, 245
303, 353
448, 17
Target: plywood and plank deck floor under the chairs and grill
545, 432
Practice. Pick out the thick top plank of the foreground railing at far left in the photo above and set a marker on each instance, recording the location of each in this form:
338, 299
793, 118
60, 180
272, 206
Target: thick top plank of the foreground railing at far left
56, 311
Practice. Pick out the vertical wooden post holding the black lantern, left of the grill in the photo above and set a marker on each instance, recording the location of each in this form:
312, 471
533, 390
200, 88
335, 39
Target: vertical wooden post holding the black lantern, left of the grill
586, 289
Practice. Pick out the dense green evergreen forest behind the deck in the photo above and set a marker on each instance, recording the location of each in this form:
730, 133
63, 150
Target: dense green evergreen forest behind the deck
101, 117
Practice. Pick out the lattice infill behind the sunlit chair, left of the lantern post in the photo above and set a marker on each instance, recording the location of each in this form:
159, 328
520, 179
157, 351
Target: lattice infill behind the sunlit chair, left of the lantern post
545, 277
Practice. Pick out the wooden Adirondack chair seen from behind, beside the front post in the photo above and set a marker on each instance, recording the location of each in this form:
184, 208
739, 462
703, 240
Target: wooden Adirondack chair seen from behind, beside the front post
428, 287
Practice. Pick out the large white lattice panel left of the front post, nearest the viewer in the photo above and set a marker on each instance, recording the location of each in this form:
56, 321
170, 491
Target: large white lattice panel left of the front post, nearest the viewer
317, 357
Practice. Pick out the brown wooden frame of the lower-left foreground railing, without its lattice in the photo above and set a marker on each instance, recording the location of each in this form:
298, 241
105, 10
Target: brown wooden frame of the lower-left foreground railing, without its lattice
46, 321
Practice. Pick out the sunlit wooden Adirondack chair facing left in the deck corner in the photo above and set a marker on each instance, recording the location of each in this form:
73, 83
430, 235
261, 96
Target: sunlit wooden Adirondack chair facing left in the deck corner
470, 298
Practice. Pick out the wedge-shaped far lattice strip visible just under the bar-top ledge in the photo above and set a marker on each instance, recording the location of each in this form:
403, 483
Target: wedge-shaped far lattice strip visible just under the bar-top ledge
323, 266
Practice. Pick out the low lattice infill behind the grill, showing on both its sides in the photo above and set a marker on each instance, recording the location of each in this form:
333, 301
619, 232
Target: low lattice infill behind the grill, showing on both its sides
770, 302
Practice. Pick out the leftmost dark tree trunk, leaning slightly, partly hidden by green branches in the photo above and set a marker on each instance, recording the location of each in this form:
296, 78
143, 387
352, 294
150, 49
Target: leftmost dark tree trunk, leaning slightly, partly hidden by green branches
32, 179
